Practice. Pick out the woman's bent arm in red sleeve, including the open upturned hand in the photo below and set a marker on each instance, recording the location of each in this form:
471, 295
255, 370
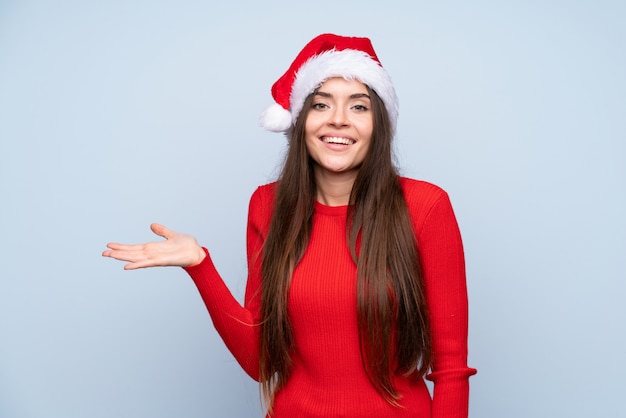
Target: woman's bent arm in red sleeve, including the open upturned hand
237, 325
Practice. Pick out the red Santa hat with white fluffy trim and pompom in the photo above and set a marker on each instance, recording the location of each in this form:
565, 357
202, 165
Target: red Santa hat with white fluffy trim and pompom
324, 57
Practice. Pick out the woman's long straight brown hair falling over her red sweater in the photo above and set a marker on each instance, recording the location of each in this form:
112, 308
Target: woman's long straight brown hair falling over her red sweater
392, 313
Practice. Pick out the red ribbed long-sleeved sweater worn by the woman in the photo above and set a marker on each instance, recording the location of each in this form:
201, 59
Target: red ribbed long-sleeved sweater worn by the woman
328, 379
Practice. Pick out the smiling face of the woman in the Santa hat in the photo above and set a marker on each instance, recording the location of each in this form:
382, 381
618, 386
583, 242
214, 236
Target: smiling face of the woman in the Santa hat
338, 127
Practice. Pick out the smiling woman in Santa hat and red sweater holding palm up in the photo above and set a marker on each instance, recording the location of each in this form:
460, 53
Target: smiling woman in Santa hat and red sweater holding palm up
356, 288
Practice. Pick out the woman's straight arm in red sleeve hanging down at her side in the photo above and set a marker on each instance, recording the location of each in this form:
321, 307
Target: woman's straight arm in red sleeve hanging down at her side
441, 252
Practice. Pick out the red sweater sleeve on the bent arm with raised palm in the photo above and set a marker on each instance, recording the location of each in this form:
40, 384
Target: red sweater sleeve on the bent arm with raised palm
239, 325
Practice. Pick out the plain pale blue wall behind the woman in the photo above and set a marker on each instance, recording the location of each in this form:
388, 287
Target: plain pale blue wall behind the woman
121, 113
